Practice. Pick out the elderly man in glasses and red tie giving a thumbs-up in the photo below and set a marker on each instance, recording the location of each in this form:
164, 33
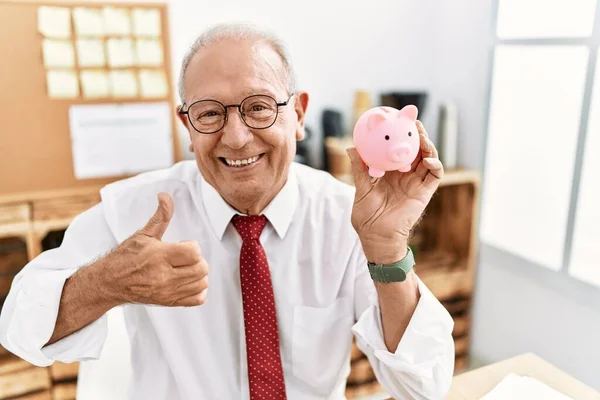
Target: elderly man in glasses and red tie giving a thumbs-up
243, 275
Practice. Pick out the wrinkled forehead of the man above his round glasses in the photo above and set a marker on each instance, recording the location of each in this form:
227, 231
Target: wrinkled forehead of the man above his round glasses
230, 70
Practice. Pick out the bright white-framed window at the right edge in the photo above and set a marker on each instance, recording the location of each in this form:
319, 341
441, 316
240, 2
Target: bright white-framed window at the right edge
540, 196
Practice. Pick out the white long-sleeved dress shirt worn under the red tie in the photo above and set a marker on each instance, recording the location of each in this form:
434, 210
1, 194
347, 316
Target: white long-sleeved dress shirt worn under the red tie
323, 294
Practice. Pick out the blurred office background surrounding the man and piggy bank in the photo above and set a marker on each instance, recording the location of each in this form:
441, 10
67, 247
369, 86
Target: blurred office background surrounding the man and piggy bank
507, 89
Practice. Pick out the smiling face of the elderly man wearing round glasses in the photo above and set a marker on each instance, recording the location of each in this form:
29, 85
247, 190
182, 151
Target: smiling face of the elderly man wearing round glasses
229, 71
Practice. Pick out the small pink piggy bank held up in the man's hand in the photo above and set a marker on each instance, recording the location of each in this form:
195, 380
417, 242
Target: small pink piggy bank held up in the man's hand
387, 139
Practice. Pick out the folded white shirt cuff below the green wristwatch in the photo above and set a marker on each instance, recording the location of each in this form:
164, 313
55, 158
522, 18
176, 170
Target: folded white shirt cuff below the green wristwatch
425, 343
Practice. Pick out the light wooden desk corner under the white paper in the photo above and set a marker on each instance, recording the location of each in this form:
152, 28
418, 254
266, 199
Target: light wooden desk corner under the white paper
474, 384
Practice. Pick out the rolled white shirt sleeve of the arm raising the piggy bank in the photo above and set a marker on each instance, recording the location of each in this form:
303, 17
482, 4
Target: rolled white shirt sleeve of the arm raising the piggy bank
422, 365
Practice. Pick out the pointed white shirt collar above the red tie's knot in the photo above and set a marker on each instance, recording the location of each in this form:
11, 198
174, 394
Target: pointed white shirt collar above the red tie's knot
279, 211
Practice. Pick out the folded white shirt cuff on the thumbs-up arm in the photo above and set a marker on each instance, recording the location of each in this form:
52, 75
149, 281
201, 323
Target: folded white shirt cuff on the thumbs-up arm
34, 319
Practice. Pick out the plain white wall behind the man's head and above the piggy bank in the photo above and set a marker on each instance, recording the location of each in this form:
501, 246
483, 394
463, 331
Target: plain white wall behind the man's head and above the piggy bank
337, 46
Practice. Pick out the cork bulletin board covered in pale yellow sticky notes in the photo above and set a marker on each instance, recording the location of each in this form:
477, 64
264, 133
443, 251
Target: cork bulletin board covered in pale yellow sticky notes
35, 136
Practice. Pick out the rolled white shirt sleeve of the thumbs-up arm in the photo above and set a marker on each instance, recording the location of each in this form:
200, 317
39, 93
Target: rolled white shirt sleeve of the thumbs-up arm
31, 308
